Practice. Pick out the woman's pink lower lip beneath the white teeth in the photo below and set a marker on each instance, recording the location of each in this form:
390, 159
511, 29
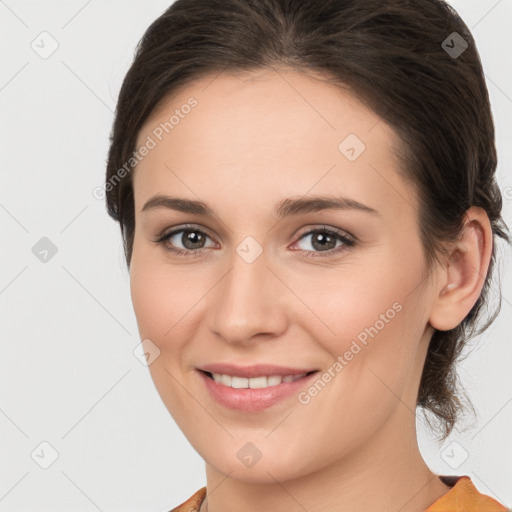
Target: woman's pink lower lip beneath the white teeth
253, 400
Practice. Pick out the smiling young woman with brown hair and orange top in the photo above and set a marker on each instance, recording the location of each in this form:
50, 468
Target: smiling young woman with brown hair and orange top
307, 197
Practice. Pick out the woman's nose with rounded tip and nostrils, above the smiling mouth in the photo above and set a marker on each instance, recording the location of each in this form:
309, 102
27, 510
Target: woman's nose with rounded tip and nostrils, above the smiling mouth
250, 301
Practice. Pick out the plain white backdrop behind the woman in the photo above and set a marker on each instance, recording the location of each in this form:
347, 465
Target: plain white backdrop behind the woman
73, 396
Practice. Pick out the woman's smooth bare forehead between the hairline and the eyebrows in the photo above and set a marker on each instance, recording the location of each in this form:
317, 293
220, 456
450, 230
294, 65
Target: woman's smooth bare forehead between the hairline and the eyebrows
264, 130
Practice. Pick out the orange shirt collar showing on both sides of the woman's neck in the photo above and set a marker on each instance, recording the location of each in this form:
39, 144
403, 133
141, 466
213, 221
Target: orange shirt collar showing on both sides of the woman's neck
462, 497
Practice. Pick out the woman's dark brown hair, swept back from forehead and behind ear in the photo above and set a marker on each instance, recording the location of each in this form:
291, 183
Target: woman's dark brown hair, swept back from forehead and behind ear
398, 58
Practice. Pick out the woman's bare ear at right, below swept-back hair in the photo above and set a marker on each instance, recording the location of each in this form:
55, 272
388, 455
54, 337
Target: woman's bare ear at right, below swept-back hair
461, 279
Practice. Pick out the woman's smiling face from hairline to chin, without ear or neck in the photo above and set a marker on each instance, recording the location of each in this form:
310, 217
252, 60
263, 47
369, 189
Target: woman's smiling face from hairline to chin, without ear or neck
274, 278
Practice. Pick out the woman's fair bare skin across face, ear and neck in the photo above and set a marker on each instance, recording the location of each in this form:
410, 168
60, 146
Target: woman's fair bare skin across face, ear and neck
252, 141
